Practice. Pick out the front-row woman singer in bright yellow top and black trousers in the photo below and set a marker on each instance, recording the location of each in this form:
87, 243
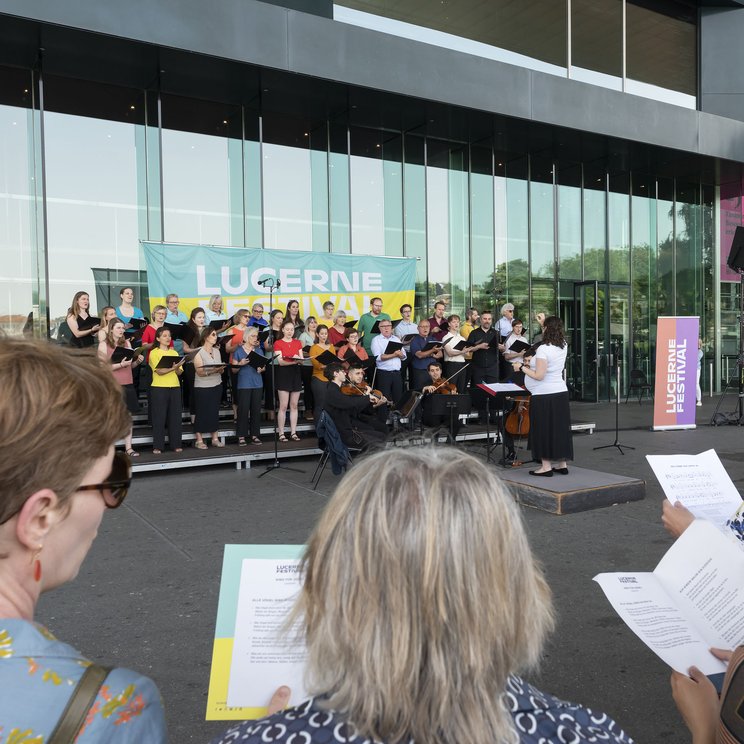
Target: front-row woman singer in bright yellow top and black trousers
165, 394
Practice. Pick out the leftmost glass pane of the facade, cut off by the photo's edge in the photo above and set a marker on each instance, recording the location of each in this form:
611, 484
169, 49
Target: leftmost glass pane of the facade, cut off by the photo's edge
19, 279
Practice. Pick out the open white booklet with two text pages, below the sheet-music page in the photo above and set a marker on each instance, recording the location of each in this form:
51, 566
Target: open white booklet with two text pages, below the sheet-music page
693, 600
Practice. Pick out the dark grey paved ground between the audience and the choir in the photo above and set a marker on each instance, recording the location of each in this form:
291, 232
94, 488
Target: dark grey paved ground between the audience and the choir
146, 597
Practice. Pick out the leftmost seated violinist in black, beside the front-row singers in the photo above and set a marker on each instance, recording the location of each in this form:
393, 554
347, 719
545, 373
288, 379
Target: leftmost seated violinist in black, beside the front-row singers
344, 409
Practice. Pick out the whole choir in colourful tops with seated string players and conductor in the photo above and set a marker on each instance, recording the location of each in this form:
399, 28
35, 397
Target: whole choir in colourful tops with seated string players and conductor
359, 370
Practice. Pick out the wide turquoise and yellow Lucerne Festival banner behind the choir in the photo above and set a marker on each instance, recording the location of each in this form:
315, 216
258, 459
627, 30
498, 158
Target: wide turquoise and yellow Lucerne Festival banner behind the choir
195, 272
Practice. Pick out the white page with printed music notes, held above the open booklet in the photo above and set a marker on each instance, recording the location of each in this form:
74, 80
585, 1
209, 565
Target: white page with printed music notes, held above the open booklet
700, 483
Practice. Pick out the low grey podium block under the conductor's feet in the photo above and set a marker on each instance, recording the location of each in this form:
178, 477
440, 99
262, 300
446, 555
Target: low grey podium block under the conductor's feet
580, 490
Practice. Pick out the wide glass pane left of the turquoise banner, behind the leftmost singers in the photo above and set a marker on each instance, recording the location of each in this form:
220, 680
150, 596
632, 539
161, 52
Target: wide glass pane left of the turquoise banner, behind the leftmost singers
93, 199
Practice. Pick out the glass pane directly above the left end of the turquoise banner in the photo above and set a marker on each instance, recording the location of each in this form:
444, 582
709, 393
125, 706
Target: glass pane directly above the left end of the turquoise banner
202, 157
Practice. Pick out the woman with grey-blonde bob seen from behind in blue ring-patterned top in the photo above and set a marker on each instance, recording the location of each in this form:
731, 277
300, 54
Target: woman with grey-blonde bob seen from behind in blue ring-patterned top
421, 603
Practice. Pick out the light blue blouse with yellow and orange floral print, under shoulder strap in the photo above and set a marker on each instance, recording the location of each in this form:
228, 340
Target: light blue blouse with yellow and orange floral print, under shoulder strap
38, 674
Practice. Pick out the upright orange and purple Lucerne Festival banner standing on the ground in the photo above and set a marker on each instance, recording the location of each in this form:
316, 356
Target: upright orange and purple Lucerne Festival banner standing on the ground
676, 371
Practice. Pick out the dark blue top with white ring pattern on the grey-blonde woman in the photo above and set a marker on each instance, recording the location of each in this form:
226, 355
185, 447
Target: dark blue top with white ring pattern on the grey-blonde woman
538, 719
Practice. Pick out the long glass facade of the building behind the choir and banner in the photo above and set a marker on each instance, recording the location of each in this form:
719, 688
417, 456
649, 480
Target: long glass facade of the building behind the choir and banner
608, 242
